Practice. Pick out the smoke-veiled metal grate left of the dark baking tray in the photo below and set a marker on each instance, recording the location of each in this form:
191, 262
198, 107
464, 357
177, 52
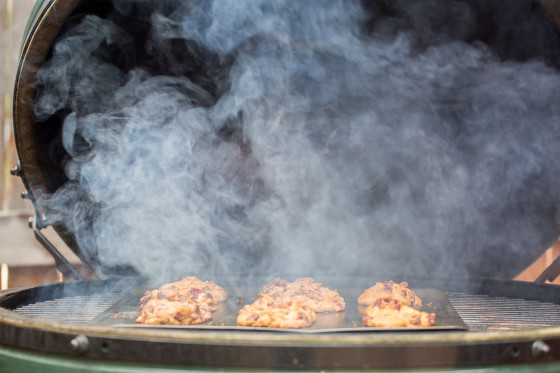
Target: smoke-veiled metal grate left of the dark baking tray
71, 309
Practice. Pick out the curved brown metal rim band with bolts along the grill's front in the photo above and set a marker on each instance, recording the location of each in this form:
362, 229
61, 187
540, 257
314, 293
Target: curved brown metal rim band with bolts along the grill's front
280, 350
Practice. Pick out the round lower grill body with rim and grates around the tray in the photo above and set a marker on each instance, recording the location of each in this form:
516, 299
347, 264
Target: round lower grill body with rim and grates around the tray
511, 324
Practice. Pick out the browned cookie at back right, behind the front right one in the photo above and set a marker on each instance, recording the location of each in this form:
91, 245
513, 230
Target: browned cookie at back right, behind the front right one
390, 290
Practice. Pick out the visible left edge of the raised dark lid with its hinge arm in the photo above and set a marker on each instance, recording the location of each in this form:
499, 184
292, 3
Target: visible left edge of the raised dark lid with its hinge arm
41, 157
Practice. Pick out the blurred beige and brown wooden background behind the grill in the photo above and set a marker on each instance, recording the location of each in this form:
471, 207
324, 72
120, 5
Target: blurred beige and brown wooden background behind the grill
23, 261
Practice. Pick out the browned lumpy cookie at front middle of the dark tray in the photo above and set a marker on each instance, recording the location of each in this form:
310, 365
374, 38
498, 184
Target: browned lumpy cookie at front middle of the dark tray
276, 312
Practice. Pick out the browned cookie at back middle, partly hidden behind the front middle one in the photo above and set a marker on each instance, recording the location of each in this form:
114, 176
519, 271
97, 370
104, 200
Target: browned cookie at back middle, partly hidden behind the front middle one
317, 297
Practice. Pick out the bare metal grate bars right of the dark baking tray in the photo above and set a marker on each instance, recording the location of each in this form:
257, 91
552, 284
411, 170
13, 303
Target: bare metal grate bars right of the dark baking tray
482, 312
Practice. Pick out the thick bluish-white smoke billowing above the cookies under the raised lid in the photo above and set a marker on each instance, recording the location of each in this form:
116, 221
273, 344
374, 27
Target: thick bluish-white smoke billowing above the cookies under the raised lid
302, 138
